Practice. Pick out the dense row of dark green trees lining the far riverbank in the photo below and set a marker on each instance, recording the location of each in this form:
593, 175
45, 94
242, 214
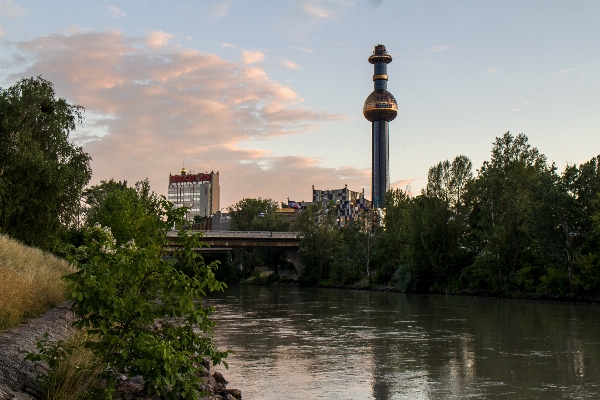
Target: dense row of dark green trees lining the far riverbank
518, 226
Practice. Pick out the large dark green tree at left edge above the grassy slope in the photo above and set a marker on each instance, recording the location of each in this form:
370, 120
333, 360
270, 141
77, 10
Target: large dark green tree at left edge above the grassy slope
42, 172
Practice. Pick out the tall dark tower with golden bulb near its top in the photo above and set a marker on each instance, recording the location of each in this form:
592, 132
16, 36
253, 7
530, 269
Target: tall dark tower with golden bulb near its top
380, 108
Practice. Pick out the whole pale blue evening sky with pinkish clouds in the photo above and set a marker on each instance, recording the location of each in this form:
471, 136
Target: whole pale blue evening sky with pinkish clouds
270, 93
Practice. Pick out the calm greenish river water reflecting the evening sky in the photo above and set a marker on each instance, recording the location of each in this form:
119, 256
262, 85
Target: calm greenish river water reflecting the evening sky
296, 343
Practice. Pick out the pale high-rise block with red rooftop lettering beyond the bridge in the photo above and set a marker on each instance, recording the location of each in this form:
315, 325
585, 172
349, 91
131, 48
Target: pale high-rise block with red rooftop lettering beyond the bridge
199, 192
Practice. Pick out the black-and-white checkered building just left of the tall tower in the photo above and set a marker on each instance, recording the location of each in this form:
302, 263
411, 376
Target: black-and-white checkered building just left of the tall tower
349, 204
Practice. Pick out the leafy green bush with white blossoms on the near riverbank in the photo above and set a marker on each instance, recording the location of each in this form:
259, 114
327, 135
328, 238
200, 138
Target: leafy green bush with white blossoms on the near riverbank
144, 309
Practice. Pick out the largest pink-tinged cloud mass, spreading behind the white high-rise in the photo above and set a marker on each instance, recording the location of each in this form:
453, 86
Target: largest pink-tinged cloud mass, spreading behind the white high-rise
148, 109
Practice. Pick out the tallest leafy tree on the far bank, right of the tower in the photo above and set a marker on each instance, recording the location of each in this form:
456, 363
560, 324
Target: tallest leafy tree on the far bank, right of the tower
505, 200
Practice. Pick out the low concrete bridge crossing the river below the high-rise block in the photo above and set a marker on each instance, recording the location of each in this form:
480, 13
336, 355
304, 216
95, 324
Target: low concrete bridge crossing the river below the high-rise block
224, 241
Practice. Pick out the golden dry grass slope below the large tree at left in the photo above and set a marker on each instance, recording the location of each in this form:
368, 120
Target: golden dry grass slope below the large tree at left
29, 282
